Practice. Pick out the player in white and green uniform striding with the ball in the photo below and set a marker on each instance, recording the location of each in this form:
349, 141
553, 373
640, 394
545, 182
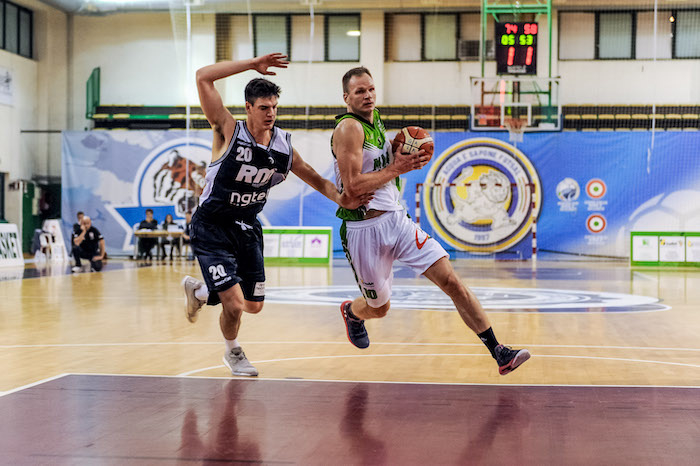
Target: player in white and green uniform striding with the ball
376, 235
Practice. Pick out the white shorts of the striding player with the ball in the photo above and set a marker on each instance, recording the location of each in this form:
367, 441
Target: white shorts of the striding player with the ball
373, 245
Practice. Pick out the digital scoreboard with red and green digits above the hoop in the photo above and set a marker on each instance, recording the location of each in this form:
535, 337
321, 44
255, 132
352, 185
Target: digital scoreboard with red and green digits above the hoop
516, 48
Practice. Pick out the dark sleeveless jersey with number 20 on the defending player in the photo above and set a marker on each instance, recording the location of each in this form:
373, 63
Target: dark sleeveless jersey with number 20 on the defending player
238, 184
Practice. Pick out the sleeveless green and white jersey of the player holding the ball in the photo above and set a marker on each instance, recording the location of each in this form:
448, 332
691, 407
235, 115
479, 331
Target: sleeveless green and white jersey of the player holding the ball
376, 155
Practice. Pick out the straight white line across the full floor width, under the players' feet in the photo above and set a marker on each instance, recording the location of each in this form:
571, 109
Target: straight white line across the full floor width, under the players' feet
345, 343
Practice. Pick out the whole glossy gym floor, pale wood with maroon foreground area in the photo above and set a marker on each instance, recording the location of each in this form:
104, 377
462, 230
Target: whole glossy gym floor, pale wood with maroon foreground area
103, 368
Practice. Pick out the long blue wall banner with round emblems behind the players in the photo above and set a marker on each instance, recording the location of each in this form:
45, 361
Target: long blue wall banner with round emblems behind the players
590, 188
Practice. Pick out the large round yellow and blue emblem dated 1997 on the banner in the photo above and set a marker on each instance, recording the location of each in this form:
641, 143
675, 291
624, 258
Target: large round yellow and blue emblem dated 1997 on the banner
478, 195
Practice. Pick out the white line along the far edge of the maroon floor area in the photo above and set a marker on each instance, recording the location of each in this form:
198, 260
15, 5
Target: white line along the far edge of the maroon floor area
276, 379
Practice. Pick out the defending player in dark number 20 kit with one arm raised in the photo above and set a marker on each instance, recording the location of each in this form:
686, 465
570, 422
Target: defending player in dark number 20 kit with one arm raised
248, 158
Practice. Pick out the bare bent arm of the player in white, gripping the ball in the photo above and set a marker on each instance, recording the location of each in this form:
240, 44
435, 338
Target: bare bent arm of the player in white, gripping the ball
347, 147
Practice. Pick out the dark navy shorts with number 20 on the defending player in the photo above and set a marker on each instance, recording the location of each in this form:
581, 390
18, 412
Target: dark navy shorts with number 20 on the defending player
228, 255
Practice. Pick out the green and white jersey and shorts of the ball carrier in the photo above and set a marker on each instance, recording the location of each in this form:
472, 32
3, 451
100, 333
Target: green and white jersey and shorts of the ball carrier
373, 245
